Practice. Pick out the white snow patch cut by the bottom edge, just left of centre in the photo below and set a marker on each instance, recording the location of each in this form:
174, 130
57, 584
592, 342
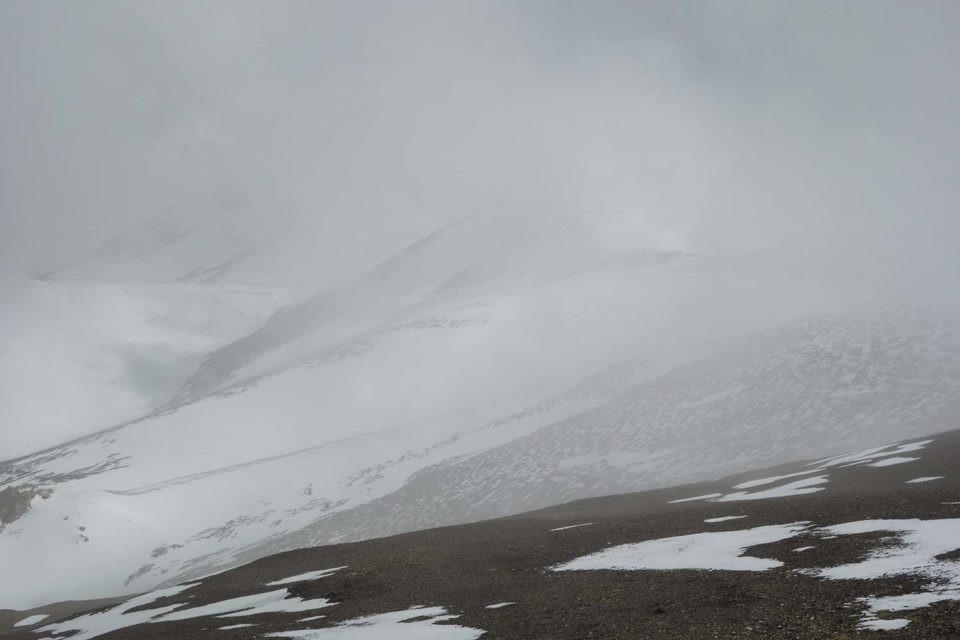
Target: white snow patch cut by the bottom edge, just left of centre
396, 625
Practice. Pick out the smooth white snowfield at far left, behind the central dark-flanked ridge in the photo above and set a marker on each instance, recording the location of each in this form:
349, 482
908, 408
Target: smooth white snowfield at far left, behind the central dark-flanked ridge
76, 356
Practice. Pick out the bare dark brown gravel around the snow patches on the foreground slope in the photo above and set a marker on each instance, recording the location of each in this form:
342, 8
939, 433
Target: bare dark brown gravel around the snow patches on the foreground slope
466, 568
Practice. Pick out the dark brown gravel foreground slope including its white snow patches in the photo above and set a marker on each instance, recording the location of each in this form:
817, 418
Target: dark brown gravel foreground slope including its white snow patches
865, 545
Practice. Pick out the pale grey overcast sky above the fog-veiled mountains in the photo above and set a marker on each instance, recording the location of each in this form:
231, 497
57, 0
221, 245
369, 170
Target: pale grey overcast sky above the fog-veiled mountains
693, 125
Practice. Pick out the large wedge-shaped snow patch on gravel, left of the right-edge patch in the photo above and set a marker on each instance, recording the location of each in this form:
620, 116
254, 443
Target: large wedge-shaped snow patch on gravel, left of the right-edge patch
720, 550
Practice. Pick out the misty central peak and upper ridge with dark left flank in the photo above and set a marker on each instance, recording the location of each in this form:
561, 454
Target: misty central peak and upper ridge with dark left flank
473, 252
